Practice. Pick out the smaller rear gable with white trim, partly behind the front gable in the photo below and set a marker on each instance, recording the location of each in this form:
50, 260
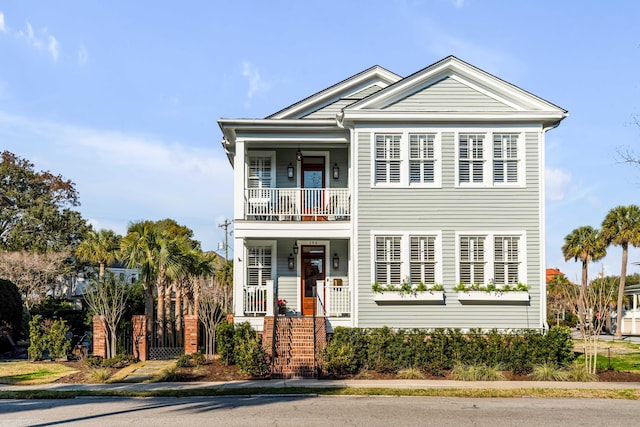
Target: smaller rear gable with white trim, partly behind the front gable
341, 94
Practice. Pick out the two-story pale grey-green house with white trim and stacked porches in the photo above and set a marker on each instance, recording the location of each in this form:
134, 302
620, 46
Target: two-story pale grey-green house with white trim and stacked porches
430, 181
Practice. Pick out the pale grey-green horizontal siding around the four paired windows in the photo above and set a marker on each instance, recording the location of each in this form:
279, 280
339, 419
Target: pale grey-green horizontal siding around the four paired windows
449, 209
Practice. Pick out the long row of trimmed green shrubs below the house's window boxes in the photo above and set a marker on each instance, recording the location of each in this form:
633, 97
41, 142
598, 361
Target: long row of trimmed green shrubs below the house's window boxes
352, 350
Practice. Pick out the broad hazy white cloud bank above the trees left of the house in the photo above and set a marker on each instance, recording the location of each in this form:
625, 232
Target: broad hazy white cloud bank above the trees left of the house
127, 177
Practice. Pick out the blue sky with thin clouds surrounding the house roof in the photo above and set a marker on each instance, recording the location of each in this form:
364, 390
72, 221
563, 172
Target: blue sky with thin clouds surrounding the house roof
122, 97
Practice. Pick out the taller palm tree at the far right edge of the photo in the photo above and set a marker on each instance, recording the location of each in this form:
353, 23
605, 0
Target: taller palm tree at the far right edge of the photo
621, 227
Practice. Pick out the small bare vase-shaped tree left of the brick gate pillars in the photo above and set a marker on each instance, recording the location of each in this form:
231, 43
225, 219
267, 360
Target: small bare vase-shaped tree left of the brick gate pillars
108, 300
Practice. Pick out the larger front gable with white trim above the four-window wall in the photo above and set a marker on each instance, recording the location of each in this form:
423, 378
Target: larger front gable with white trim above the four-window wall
469, 94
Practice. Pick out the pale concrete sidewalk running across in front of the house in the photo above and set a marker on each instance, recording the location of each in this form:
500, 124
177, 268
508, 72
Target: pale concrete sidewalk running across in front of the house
312, 383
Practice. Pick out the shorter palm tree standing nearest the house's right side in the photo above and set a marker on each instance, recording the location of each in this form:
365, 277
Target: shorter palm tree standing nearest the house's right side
584, 244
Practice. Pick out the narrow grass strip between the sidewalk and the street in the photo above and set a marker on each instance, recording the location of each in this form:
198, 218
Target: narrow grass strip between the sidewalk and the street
627, 394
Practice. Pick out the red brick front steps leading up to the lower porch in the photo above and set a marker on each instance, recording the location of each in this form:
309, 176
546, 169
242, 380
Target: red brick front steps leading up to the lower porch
297, 353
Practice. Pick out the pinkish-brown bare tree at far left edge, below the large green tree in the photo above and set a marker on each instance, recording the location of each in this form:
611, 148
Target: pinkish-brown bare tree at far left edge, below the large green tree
33, 273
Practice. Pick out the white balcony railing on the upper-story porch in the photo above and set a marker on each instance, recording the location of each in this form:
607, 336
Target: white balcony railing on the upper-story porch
296, 204
